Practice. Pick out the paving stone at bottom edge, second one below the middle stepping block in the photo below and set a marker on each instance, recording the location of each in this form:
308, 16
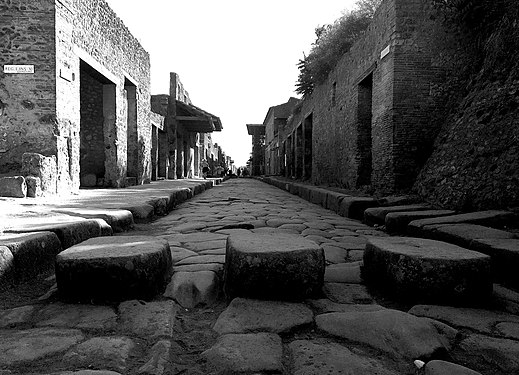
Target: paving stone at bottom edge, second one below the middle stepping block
250, 352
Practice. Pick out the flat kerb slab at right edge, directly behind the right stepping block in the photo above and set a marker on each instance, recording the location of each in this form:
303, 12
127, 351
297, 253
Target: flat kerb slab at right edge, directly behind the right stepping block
463, 234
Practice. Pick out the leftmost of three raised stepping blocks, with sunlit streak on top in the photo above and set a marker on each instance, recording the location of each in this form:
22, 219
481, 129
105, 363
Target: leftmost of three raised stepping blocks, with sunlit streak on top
114, 268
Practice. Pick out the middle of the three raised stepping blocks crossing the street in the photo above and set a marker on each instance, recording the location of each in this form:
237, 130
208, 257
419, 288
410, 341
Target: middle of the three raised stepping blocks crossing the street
285, 266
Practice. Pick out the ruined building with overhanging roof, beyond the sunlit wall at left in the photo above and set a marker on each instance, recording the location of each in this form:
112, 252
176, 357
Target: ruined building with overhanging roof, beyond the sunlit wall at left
184, 141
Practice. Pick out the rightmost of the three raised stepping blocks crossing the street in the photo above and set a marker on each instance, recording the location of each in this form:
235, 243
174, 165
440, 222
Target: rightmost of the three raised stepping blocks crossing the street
428, 271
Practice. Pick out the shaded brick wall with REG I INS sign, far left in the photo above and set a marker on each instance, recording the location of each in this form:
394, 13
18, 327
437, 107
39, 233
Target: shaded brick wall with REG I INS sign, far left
27, 101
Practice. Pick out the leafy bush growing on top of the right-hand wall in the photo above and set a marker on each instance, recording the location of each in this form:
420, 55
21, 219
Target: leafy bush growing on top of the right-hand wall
332, 42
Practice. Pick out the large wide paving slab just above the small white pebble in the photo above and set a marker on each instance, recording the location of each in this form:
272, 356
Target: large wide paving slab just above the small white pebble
404, 335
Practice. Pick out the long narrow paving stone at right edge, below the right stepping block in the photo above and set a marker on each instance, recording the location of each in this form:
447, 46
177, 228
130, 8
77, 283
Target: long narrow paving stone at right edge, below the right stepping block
477, 319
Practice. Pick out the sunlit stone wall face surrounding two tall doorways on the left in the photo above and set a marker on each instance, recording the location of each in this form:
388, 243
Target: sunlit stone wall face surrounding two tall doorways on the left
89, 30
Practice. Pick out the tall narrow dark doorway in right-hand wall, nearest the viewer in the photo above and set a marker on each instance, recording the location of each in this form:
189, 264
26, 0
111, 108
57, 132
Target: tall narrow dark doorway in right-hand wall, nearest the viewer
364, 139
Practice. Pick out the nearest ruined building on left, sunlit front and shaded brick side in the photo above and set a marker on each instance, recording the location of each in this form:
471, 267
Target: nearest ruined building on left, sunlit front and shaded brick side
75, 89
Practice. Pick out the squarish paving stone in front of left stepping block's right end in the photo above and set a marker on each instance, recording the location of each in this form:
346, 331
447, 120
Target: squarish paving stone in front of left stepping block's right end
148, 319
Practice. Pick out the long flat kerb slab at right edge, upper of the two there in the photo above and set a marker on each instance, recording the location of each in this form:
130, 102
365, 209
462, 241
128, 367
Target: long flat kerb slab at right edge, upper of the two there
491, 218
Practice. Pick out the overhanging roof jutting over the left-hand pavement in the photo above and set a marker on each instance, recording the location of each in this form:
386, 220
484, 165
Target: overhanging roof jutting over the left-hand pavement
197, 120
